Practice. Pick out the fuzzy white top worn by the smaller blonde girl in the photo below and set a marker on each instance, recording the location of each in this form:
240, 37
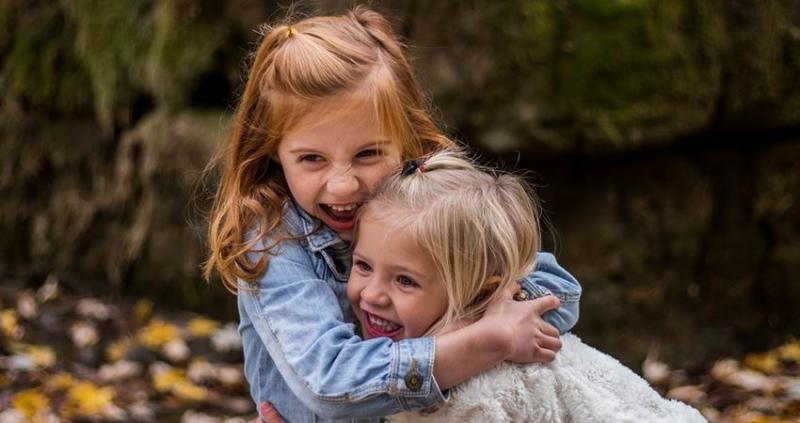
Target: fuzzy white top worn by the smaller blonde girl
581, 385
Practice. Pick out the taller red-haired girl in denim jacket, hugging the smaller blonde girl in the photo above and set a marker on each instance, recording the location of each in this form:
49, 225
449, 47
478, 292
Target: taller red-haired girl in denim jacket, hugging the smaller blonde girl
331, 105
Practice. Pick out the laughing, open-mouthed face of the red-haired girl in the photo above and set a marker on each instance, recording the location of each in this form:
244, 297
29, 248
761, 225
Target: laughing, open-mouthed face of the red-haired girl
333, 158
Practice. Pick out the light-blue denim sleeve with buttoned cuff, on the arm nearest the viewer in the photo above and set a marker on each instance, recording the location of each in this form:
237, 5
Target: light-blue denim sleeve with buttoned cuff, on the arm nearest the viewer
331, 370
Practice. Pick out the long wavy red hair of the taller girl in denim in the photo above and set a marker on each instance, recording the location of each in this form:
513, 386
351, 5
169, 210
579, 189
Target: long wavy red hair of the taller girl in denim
294, 67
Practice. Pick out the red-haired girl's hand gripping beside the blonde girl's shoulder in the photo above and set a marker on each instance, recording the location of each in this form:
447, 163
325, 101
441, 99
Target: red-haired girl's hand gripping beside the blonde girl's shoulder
520, 326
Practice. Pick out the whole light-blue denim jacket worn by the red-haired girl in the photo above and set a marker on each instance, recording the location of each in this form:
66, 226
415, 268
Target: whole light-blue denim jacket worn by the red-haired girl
301, 349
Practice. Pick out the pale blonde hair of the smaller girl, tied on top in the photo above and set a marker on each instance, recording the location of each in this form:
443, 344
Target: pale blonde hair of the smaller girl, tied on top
479, 226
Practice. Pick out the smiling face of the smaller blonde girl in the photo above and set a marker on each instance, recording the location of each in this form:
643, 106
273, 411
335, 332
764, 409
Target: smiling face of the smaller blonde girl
394, 287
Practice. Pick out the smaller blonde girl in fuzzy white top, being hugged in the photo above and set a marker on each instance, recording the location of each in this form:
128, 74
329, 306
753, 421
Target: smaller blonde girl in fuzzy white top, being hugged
439, 243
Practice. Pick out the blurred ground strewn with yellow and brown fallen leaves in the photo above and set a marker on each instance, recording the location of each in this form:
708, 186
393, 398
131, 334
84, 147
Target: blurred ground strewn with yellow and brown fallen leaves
75, 358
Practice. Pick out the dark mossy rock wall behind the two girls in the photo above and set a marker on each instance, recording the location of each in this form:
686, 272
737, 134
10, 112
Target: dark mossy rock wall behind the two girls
666, 133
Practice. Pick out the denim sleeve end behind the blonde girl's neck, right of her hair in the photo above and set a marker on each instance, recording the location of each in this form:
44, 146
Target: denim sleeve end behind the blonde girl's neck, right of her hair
548, 278
